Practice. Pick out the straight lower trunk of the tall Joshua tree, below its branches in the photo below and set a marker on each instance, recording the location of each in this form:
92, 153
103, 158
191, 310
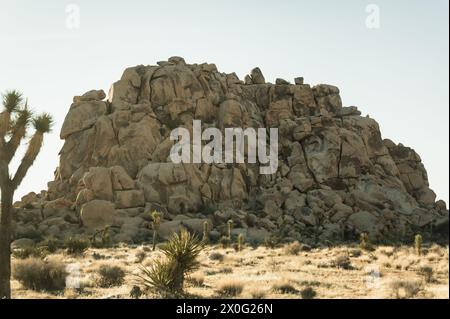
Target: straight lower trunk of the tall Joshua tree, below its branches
5, 244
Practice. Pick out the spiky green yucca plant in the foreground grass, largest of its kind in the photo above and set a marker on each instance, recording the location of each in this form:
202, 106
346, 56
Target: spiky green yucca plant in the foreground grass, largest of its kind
167, 276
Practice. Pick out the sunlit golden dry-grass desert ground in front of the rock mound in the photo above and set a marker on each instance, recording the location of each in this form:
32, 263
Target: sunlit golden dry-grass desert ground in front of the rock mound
283, 272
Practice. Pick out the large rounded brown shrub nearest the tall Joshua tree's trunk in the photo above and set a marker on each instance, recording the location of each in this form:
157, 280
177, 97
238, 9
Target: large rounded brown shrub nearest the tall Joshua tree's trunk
37, 274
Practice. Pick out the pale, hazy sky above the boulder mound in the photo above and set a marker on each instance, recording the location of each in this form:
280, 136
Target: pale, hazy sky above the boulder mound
398, 73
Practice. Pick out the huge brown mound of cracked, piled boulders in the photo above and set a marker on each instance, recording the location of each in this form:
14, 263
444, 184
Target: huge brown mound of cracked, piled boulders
336, 177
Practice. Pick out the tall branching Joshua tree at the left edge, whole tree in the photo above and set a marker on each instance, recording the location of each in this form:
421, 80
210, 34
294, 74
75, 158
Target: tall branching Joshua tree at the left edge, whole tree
14, 122
